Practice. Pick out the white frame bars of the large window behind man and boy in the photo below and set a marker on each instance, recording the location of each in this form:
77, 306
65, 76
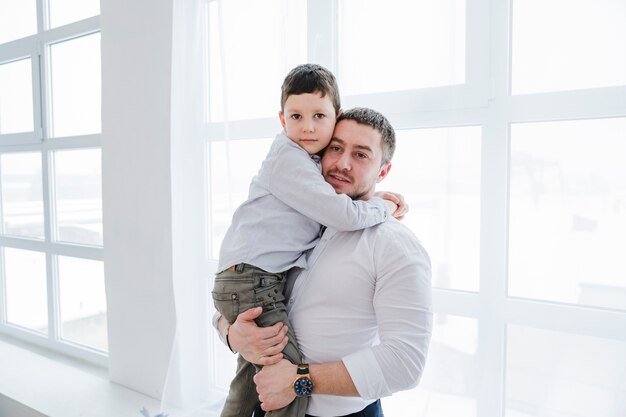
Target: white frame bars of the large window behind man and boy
485, 100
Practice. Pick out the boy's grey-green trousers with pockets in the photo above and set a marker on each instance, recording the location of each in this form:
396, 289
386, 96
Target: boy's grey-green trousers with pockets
235, 292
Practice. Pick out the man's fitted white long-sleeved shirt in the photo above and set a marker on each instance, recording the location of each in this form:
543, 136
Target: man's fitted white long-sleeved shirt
365, 299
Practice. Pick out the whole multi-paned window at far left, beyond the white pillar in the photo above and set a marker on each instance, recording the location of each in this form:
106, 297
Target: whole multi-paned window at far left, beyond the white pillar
51, 272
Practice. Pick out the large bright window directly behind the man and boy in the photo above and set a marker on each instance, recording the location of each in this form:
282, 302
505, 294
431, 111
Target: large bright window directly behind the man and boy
510, 152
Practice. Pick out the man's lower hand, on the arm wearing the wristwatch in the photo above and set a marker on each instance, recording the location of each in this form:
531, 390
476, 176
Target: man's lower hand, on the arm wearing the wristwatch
273, 383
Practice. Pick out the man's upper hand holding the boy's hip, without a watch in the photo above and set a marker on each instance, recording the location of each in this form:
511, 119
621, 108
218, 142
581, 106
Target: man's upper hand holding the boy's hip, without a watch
258, 345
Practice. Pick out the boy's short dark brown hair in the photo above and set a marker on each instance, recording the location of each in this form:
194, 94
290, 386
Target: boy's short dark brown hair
310, 78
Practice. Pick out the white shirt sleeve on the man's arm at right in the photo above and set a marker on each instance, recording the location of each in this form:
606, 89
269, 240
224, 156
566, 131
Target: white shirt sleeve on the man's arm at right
403, 307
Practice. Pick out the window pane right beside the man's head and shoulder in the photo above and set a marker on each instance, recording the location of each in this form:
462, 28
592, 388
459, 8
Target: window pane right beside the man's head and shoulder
438, 171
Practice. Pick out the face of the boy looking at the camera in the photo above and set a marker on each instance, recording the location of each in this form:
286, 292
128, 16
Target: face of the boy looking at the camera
309, 120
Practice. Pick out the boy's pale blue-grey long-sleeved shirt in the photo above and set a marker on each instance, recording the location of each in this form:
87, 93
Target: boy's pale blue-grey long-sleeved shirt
287, 202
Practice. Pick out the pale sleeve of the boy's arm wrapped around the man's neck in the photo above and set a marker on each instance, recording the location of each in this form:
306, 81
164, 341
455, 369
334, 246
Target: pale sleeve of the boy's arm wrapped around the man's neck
296, 181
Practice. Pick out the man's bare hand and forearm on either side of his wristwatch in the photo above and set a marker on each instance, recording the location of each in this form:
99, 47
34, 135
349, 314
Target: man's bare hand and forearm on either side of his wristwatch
274, 383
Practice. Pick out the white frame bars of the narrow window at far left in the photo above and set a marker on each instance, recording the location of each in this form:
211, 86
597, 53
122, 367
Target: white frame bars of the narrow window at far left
37, 47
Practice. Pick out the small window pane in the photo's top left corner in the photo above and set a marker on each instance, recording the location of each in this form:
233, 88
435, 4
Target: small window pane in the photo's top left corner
18, 19
